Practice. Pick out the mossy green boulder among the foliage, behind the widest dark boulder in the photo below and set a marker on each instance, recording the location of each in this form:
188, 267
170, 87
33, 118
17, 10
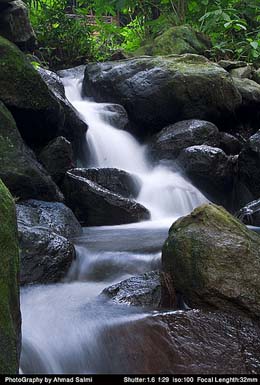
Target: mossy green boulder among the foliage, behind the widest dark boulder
176, 40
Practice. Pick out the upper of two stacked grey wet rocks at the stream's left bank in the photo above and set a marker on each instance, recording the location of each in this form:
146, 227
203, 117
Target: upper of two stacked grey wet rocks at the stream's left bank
53, 216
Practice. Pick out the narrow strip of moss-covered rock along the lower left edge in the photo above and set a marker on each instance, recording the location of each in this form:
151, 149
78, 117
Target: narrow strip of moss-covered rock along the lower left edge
9, 288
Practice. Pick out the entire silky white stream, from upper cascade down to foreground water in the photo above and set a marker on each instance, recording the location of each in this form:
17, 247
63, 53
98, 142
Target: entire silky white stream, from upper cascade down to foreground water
68, 327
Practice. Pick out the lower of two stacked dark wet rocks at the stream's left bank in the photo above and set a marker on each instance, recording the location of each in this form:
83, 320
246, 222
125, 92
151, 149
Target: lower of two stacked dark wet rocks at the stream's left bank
45, 256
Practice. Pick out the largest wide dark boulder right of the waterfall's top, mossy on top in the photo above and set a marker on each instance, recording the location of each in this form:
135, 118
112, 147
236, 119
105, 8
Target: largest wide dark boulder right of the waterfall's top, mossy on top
158, 91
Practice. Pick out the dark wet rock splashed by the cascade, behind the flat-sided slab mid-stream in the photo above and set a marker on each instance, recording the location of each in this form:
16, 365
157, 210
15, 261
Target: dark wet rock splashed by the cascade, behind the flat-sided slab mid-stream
118, 181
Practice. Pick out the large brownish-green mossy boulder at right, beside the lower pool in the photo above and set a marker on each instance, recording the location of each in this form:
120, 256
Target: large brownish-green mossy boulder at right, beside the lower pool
214, 261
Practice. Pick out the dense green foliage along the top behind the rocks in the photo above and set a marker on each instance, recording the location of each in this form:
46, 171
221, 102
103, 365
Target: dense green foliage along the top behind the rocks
232, 25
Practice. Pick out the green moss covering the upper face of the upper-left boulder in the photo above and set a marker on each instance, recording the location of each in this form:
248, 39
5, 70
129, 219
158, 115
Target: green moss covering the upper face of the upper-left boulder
20, 84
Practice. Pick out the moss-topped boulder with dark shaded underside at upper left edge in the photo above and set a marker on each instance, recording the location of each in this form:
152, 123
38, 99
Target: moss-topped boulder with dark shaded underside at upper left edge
37, 112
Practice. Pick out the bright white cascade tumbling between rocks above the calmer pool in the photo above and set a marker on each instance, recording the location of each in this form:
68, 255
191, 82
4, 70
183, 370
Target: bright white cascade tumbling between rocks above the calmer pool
164, 192
